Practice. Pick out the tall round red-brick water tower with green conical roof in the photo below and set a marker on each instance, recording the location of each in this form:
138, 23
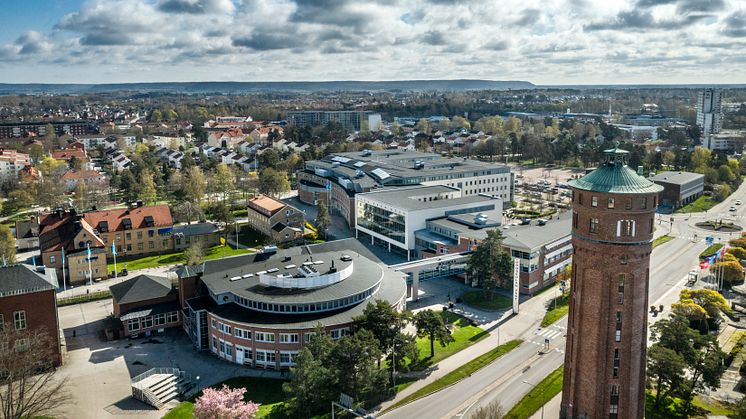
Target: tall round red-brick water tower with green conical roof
612, 233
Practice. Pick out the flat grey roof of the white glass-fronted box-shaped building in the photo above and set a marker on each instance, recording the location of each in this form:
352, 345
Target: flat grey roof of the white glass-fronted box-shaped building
406, 197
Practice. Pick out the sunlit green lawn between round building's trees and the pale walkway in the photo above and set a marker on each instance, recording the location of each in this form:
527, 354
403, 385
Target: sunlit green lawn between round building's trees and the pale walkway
464, 335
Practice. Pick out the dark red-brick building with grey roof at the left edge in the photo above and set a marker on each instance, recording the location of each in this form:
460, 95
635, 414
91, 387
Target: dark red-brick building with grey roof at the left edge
28, 302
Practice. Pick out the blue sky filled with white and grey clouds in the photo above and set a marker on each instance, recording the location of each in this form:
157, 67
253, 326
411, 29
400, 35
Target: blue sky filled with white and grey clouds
541, 41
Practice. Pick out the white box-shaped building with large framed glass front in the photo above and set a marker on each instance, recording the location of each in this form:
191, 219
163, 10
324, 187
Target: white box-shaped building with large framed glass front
391, 217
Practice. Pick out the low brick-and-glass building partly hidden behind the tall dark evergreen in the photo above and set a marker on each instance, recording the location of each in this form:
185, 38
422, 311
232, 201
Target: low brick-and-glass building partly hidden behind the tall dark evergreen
544, 250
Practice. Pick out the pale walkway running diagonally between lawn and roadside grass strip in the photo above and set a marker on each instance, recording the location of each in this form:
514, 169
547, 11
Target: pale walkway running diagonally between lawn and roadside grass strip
504, 329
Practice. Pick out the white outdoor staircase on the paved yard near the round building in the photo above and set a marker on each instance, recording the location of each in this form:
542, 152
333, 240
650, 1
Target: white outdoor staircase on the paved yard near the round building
158, 386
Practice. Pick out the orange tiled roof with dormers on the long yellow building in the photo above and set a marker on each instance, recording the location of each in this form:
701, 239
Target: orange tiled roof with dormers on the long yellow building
161, 215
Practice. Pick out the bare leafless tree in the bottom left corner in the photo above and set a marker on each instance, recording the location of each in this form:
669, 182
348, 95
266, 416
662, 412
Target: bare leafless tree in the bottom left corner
29, 386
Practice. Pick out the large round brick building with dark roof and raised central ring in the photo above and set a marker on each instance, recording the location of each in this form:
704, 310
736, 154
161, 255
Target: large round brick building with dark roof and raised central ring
259, 310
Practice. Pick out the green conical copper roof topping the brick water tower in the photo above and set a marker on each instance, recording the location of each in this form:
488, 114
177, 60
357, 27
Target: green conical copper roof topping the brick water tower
614, 176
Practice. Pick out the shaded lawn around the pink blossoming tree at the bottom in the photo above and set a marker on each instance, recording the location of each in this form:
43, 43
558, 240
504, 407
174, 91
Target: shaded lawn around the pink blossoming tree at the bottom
266, 391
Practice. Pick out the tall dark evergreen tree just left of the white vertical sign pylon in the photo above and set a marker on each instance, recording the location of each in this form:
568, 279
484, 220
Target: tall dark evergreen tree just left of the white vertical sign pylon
490, 264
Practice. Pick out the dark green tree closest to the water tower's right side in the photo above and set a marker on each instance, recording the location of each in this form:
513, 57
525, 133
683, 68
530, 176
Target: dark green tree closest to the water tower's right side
665, 370
